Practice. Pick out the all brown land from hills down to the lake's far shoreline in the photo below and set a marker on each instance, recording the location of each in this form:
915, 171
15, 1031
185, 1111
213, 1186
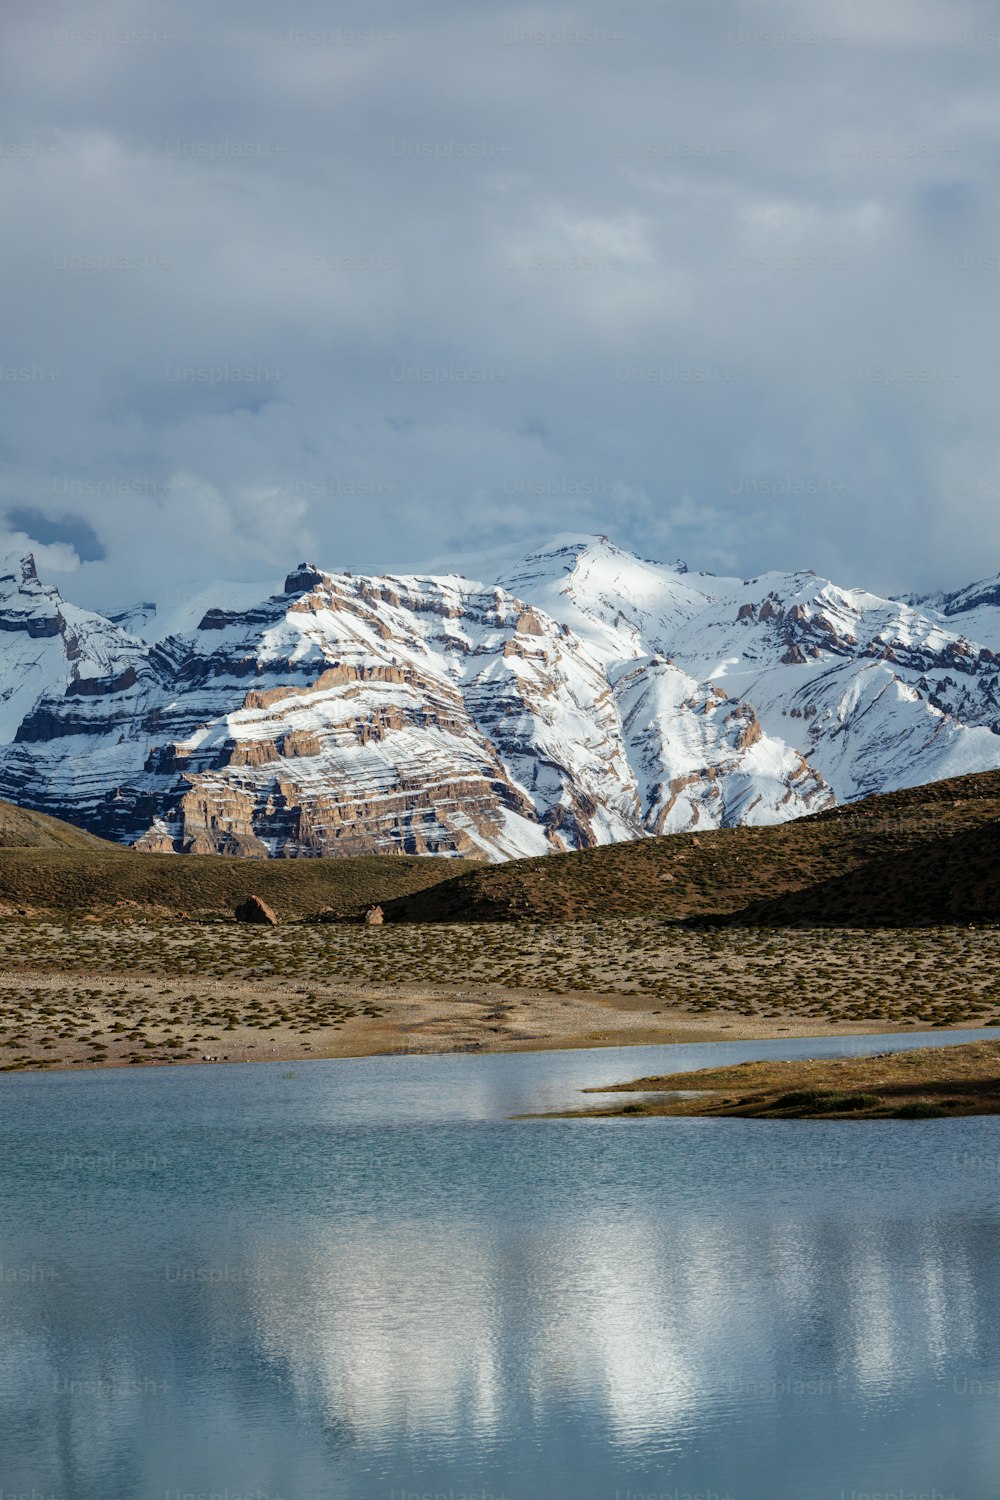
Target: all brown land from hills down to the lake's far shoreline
113, 956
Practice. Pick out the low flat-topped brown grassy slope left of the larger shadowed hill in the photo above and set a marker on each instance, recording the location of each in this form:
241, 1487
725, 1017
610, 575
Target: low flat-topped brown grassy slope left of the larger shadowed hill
106, 878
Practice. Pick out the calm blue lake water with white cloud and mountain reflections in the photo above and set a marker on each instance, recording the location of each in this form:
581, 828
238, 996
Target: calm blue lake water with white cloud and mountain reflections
364, 1280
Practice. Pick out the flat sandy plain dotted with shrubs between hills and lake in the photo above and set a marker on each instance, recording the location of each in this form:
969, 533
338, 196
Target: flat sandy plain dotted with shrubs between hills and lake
131, 994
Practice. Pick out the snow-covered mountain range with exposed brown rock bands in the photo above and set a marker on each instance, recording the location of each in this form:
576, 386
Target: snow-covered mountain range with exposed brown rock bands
572, 697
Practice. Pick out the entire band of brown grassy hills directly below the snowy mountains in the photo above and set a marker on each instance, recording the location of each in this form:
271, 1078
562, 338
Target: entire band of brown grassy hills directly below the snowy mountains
918, 857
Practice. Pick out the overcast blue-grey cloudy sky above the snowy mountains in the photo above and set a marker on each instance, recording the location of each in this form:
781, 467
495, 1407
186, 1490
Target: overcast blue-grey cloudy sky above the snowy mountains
373, 284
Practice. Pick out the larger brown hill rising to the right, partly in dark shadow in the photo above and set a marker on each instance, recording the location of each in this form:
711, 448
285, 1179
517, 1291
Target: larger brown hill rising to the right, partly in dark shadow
882, 851
